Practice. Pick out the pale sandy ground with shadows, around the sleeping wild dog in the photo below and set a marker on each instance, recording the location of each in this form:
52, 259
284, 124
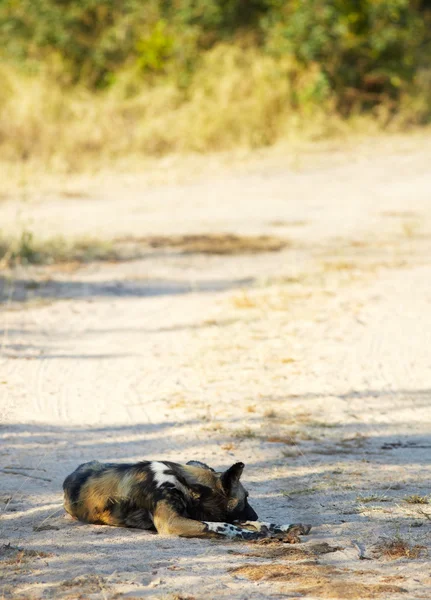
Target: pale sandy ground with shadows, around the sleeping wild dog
311, 365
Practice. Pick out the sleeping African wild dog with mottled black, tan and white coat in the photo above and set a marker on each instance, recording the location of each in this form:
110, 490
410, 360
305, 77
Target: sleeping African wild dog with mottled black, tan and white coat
189, 500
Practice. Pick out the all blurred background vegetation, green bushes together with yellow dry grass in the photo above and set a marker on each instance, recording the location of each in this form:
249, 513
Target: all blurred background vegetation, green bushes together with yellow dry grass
207, 74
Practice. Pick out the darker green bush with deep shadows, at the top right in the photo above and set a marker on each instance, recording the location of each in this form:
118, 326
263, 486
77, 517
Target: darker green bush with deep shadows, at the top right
366, 50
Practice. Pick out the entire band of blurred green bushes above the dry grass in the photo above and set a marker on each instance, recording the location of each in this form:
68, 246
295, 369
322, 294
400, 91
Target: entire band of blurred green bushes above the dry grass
362, 52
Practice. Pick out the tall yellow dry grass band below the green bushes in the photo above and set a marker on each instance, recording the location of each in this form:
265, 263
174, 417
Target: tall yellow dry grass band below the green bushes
238, 98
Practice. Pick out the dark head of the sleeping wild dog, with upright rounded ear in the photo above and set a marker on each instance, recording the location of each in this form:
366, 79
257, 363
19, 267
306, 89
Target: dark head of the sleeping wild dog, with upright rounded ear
222, 495
